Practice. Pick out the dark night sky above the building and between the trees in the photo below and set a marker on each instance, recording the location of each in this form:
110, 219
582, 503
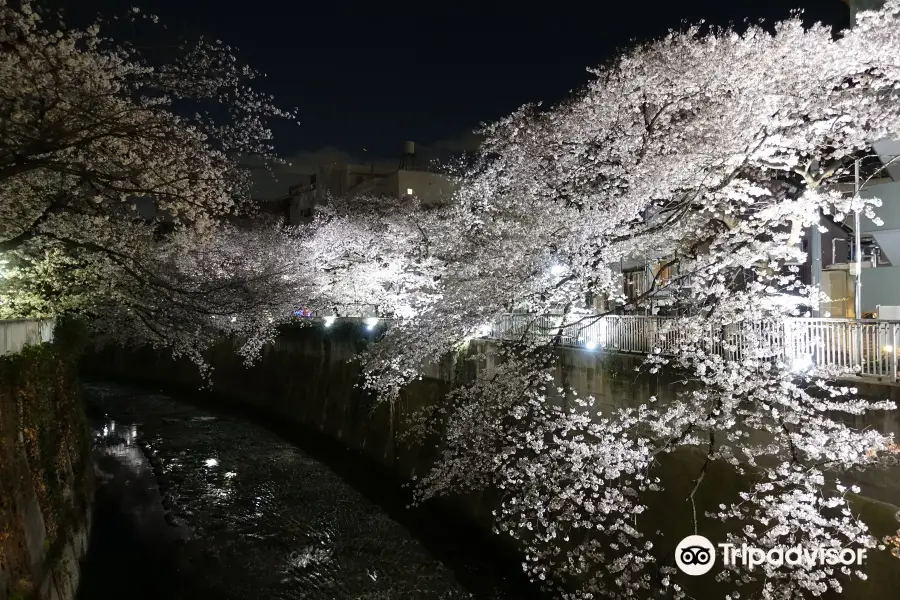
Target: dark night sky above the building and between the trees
372, 74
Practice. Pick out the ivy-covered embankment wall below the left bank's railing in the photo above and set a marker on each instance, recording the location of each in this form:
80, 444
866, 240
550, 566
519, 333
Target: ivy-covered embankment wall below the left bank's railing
45, 473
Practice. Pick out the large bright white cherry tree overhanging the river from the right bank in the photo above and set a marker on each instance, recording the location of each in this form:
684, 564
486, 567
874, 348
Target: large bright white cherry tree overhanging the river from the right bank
706, 151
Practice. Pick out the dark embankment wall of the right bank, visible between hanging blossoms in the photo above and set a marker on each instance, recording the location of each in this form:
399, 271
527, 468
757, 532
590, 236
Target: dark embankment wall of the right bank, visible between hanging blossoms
307, 377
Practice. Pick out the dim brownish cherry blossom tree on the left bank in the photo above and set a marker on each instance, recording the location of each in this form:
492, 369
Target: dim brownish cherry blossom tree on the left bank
117, 175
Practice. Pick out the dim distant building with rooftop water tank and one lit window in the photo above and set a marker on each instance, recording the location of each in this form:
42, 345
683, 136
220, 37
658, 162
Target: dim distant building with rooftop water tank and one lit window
397, 179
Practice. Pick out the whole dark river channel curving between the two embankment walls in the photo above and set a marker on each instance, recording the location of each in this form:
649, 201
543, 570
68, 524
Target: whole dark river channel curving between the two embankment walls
192, 504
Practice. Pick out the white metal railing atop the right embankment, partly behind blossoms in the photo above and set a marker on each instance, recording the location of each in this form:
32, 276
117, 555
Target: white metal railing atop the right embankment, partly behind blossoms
862, 347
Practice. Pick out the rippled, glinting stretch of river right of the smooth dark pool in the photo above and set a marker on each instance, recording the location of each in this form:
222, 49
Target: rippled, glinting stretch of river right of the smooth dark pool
261, 519
